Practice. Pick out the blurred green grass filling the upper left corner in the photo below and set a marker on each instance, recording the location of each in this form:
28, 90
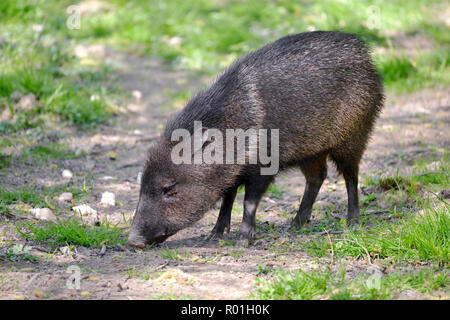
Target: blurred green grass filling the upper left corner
66, 88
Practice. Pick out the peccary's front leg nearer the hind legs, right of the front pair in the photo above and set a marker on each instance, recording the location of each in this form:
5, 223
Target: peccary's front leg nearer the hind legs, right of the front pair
254, 190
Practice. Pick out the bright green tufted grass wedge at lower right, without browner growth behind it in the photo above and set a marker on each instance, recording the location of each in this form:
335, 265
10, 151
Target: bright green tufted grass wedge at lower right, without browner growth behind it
424, 236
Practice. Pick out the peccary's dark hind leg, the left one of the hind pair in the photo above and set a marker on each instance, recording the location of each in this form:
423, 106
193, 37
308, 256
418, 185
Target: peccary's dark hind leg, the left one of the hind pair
315, 171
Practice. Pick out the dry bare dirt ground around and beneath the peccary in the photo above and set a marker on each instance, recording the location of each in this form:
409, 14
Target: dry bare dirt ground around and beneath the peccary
411, 126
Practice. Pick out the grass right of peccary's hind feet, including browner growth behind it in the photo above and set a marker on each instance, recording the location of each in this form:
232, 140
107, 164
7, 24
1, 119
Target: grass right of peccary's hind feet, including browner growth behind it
417, 229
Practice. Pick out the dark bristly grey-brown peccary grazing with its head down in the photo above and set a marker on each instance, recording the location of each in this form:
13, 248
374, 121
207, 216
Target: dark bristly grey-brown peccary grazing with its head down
319, 89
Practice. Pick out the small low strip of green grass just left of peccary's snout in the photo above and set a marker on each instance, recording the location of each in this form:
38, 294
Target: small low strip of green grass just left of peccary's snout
72, 231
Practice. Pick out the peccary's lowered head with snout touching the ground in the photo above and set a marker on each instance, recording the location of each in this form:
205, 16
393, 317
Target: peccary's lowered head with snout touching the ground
172, 196
